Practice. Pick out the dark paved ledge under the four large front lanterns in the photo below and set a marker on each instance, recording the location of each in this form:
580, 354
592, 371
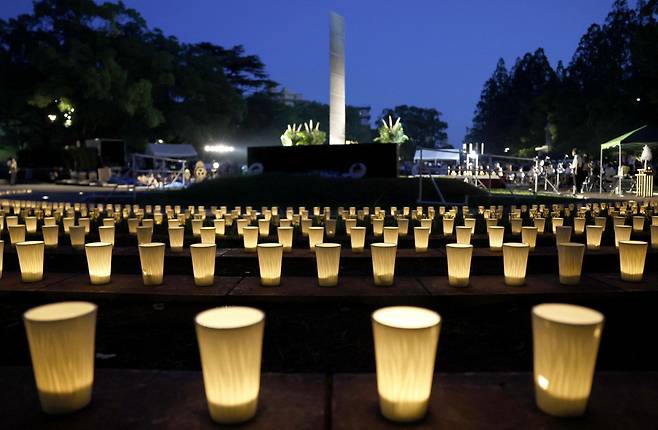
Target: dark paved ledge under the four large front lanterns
175, 400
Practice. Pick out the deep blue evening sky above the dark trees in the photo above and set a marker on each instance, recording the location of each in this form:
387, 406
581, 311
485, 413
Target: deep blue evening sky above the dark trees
429, 53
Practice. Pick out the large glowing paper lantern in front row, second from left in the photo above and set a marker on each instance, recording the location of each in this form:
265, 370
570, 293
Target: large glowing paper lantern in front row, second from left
230, 344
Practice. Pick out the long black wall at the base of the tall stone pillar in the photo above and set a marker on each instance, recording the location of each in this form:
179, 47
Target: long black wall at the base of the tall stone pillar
373, 160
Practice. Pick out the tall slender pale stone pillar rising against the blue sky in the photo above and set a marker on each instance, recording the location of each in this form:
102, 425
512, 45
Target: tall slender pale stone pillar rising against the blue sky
336, 79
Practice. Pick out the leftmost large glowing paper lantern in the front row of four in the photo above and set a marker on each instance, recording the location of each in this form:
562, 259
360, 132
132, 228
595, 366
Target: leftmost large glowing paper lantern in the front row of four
61, 338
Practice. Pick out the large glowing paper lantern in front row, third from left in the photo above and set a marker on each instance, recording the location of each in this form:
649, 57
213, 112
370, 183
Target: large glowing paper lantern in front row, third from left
406, 340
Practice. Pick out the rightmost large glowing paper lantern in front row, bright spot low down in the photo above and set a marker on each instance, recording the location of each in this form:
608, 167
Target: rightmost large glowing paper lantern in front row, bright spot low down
565, 344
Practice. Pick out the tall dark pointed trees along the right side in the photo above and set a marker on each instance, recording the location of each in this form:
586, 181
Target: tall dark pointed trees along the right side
609, 87
